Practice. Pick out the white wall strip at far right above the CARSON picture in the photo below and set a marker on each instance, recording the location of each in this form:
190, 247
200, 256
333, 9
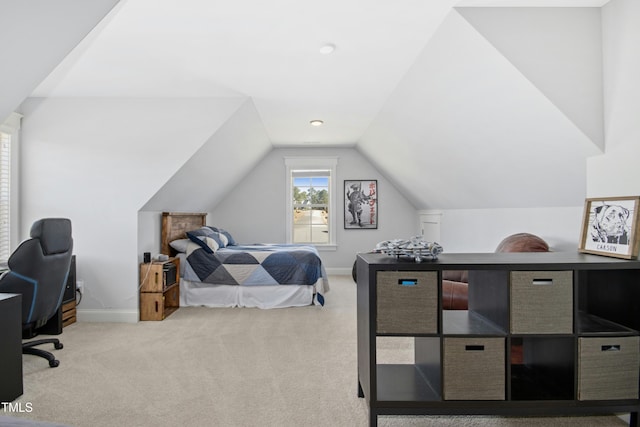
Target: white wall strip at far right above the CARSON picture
616, 173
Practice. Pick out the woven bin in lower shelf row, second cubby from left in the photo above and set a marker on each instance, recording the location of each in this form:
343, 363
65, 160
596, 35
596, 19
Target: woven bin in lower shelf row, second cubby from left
474, 368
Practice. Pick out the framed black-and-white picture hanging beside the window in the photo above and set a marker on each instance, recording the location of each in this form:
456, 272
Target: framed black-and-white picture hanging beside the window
361, 204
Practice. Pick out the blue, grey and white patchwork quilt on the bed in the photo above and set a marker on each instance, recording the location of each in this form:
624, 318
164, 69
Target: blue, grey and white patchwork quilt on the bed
257, 265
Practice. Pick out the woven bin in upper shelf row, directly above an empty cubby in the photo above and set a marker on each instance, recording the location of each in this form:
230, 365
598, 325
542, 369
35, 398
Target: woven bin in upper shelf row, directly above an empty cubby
541, 302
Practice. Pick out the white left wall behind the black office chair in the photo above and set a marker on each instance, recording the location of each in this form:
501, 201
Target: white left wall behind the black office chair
98, 161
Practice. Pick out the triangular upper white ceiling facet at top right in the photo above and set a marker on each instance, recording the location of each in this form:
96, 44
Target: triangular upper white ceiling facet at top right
558, 49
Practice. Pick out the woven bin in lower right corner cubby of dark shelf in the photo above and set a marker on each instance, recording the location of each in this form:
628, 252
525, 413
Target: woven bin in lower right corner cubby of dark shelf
608, 368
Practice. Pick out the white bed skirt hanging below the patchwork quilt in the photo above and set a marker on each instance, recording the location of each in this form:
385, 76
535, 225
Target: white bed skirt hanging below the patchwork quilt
195, 295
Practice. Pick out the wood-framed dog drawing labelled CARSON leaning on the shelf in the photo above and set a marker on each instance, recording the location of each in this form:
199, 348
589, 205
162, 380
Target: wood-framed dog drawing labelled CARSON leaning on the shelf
610, 227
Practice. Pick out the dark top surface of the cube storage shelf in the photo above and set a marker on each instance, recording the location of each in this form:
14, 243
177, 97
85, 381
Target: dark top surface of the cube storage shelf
502, 261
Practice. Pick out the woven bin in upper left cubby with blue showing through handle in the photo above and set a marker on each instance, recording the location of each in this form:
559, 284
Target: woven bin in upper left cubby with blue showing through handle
407, 302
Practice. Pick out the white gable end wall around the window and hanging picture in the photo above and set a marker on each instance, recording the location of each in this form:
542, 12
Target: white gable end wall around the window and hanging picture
254, 211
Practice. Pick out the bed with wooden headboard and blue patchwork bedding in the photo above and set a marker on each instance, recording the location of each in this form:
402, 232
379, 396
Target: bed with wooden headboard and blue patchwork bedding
216, 271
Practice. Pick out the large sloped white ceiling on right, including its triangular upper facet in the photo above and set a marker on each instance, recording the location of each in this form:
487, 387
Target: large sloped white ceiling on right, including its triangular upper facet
471, 121
